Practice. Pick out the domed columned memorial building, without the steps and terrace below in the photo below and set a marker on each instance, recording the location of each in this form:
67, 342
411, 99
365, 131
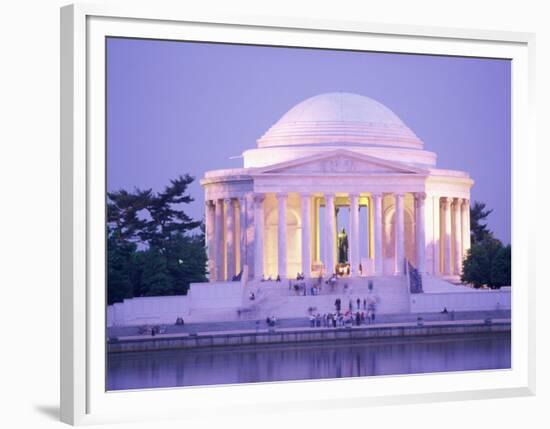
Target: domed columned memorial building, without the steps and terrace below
337, 153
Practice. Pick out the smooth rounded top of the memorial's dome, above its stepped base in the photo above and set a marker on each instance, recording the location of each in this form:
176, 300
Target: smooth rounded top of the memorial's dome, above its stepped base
342, 118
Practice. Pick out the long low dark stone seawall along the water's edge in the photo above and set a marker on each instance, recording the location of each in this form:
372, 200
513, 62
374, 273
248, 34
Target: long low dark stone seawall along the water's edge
302, 335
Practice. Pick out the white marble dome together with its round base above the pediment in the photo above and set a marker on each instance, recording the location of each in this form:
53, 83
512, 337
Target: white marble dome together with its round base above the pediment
339, 120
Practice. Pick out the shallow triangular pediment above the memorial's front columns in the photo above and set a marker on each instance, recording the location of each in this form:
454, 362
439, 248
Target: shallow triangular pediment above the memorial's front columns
338, 163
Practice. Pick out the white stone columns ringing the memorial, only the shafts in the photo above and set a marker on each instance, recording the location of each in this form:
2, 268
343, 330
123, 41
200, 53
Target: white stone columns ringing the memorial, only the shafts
221, 247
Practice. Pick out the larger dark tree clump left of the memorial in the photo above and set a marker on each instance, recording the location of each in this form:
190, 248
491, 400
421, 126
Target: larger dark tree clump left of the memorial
153, 246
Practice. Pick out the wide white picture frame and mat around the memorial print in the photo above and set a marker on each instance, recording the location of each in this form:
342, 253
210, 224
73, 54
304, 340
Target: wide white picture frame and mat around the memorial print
83, 396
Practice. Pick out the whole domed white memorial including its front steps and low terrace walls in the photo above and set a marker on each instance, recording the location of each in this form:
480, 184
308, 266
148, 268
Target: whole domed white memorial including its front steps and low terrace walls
276, 233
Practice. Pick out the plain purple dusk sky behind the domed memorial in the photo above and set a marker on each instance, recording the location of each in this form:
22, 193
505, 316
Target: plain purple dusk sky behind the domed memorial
178, 107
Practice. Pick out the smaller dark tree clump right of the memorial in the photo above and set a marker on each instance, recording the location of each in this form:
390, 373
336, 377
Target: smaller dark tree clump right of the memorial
488, 262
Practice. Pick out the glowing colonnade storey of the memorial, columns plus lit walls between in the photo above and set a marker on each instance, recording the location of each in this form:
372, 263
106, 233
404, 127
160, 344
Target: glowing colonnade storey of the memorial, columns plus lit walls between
297, 233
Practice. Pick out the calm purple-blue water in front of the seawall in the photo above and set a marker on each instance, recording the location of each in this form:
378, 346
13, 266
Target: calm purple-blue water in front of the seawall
249, 364
